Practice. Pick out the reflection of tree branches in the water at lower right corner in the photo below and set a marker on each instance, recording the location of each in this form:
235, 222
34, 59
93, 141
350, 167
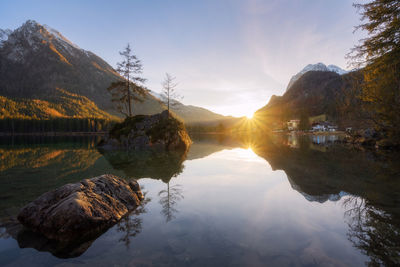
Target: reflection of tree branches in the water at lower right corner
373, 231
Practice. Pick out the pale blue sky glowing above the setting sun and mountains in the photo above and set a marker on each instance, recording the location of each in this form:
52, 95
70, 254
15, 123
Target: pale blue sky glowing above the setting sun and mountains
229, 56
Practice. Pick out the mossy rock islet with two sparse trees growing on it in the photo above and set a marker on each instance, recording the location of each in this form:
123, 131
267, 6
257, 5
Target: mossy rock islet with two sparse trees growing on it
160, 132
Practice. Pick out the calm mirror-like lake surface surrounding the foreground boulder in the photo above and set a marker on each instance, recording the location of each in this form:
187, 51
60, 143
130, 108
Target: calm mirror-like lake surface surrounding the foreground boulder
230, 201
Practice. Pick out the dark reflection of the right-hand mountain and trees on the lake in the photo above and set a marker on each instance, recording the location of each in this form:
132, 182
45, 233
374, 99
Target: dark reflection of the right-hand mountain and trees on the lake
368, 181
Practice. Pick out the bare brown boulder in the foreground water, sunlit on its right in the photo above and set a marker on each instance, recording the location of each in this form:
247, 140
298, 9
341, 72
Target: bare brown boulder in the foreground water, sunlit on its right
80, 210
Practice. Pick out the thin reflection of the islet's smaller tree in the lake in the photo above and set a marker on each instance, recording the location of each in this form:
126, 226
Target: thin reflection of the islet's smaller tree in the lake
169, 199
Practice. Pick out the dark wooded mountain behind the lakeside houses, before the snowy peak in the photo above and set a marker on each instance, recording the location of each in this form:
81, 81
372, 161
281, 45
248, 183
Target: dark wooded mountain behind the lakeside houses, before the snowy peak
313, 94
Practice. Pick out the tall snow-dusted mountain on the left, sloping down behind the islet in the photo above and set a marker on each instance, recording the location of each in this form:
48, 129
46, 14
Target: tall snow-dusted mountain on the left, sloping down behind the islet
36, 59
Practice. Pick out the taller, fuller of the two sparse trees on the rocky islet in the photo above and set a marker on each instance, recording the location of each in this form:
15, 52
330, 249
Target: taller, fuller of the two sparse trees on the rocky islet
131, 88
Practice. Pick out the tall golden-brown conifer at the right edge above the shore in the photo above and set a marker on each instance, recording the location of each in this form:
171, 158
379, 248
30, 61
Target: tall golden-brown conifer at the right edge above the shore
379, 54
